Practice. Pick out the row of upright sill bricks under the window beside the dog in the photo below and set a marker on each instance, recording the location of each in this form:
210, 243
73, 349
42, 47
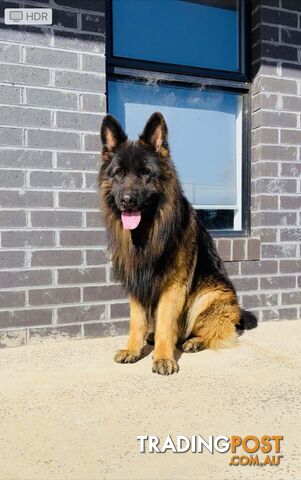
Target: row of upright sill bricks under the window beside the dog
238, 249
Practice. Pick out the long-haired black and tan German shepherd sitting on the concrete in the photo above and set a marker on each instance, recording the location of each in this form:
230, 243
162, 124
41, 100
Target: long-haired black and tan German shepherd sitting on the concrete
161, 252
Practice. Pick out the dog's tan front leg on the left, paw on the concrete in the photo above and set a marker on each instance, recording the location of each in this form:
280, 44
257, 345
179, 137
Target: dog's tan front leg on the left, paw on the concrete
138, 331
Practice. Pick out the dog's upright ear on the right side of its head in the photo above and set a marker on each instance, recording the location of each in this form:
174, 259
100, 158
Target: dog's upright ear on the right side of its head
155, 133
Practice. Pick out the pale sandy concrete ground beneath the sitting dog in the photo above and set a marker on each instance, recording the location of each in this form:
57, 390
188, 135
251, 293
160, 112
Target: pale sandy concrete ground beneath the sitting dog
67, 412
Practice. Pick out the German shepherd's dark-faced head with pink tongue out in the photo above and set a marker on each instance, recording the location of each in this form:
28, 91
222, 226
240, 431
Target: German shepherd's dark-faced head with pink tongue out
132, 173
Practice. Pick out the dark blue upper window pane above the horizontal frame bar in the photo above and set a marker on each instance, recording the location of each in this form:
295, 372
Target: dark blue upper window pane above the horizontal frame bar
196, 33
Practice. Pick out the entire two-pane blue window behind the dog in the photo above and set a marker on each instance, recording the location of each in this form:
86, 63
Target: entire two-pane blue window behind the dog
186, 59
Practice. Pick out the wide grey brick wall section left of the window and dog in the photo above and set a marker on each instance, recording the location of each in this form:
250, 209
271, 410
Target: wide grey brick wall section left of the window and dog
54, 278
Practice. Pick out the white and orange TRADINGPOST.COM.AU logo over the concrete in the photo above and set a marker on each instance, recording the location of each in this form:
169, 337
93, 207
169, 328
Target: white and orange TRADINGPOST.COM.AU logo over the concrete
249, 450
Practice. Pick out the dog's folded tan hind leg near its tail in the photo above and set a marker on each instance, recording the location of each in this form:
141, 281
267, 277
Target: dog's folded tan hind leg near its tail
211, 321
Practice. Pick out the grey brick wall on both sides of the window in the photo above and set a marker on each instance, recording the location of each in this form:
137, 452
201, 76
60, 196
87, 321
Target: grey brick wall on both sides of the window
55, 277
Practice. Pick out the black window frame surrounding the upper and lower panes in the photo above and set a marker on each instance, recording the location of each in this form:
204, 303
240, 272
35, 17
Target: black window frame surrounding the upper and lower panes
218, 80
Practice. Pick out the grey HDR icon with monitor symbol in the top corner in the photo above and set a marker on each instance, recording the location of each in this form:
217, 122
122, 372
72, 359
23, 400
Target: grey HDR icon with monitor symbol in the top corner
28, 16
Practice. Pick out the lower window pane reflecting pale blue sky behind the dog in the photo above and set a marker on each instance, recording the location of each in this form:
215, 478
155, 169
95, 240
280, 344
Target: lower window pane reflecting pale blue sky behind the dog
204, 135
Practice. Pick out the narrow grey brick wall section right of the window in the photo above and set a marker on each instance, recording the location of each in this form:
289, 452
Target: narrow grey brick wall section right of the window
276, 165
